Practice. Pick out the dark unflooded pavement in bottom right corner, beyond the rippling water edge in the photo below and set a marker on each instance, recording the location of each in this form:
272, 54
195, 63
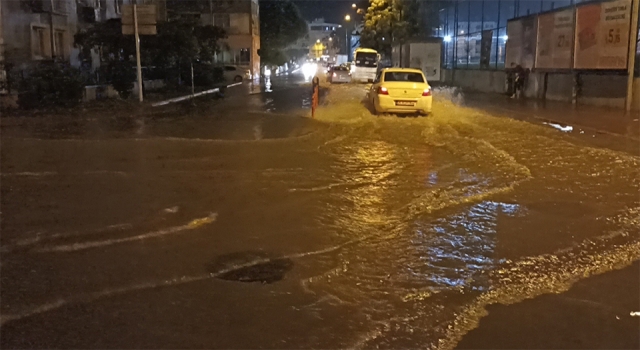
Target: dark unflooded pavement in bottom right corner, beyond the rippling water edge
594, 314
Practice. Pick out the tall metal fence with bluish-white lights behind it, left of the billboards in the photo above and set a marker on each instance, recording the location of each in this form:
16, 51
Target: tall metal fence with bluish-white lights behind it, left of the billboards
462, 23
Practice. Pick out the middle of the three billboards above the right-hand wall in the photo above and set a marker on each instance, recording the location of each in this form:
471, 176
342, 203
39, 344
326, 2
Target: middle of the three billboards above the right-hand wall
555, 40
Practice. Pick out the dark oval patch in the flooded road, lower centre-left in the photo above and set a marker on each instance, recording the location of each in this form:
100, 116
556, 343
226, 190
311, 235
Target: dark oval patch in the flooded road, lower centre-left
251, 267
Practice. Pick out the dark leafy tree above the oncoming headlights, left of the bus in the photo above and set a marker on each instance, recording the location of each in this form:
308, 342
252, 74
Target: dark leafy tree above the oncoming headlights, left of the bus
280, 26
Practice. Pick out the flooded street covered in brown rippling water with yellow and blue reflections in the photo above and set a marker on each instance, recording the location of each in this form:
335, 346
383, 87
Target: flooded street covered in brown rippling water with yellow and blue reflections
242, 223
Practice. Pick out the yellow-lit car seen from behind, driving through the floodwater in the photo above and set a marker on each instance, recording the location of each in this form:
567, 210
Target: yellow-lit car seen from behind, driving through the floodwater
400, 90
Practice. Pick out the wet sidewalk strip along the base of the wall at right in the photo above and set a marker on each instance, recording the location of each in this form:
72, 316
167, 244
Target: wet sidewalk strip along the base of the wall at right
598, 119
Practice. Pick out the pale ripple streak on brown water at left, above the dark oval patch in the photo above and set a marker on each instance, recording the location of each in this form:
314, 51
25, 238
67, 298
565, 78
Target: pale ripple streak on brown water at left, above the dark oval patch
193, 224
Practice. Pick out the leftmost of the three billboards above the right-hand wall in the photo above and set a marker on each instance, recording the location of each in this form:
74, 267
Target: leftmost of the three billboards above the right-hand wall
521, 42
